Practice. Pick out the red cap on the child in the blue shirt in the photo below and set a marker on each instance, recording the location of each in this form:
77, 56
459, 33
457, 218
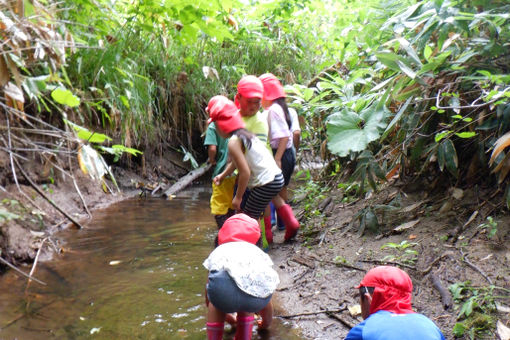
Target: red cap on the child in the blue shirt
393, 288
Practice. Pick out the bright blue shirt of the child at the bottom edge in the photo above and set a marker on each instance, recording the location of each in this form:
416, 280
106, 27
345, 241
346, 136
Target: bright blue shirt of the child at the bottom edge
384, 325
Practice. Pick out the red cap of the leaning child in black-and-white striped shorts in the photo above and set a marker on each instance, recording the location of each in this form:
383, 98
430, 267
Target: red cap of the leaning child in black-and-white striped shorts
226, 115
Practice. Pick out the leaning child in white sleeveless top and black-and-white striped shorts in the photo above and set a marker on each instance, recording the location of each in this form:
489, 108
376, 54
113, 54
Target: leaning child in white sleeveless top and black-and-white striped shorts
256, 167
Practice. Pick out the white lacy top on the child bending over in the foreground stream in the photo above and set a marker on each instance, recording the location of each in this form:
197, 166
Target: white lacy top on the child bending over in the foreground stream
250, 268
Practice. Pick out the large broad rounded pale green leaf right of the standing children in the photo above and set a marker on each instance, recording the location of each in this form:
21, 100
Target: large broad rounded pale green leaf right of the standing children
349, 131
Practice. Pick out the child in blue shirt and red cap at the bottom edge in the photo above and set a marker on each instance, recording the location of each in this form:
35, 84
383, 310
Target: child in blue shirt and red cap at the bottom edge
385, 299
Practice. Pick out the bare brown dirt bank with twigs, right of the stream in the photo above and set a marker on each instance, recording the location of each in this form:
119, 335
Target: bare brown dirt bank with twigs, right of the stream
442, 241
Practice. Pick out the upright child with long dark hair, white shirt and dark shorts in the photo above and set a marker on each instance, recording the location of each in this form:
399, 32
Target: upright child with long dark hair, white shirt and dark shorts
280, 129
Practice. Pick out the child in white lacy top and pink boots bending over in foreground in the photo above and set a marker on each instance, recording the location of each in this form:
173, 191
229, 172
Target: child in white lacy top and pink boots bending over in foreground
241, 279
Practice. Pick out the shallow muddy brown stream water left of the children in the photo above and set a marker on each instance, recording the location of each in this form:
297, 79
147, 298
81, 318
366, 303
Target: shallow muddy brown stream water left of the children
134, 272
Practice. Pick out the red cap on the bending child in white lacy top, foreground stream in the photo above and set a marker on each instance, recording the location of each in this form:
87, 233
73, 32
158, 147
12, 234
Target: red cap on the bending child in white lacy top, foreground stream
239, 227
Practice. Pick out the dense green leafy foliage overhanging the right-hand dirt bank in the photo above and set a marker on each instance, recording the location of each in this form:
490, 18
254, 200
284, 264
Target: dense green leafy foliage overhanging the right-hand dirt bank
439, 71
